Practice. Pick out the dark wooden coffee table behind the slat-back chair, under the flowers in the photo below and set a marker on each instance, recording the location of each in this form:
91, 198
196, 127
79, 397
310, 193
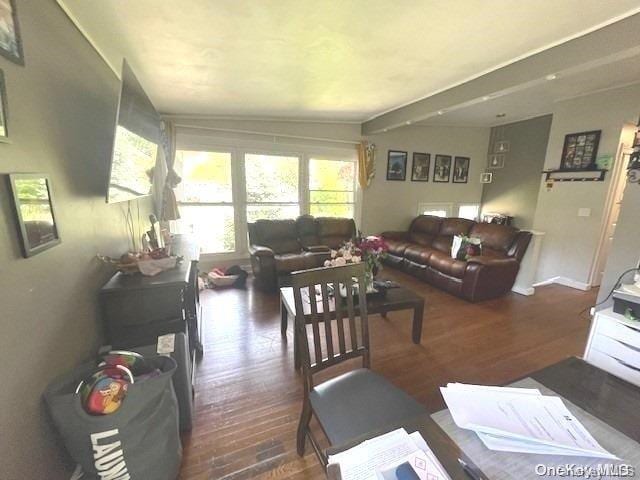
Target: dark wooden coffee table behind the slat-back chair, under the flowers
395, 299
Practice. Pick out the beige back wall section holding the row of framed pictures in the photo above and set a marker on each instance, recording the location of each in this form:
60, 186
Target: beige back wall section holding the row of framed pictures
390, 205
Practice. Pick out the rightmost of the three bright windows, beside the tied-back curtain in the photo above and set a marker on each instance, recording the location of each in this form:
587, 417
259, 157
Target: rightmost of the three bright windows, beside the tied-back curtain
331, 188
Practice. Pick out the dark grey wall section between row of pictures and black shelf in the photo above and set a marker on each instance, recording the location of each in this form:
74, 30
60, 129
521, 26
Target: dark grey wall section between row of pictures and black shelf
515, 187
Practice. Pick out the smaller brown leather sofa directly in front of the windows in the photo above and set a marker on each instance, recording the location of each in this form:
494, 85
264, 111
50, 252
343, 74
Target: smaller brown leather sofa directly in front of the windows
279, 247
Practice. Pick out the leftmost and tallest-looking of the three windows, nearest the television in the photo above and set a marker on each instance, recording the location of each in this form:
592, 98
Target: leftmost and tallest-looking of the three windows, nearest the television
205, 198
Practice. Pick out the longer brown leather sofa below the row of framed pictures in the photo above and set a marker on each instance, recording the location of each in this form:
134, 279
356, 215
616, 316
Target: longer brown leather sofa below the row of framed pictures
425, 251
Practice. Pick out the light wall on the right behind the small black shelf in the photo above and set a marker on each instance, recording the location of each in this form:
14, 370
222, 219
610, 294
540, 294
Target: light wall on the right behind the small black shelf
570, 243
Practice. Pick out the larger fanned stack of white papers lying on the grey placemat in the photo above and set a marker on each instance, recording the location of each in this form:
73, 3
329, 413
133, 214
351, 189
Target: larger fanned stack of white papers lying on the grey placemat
520, 420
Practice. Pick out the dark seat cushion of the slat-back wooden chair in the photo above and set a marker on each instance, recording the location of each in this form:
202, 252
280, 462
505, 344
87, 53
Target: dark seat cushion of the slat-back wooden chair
358, 402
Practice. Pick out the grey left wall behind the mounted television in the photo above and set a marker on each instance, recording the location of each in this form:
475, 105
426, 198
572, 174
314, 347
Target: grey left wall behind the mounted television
62, 107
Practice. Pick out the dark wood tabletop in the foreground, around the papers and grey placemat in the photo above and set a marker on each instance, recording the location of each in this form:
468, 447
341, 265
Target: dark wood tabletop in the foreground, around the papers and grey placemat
599, 393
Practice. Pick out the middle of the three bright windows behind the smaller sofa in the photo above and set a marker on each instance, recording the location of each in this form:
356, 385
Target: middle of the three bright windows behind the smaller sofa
272, 186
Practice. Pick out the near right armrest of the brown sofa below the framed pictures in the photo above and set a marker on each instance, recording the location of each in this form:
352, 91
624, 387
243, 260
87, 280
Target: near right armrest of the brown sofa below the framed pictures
488, 277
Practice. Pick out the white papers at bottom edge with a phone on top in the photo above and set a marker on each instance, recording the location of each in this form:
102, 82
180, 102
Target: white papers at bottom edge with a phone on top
393, 456
